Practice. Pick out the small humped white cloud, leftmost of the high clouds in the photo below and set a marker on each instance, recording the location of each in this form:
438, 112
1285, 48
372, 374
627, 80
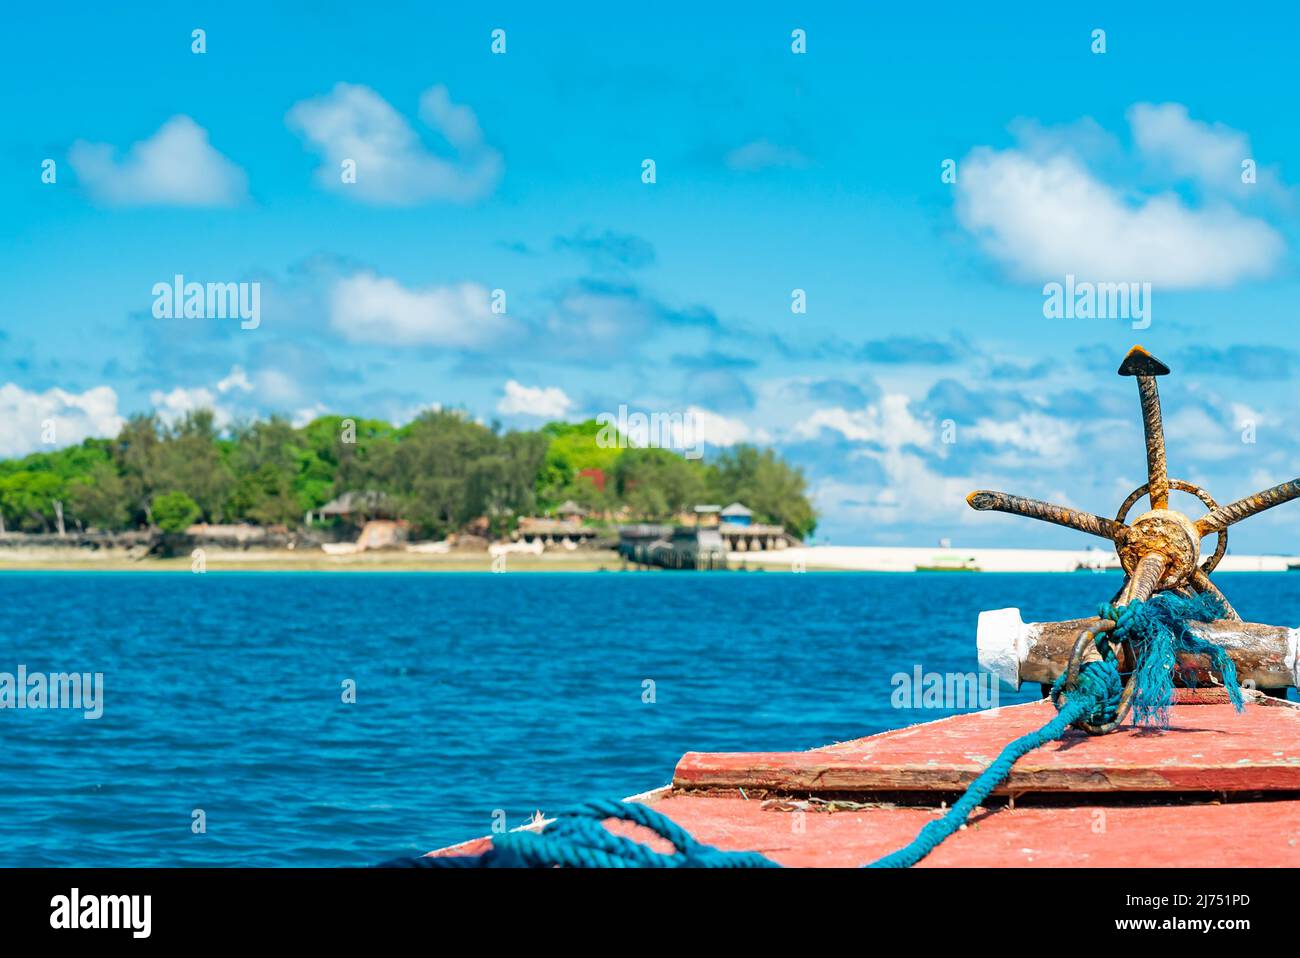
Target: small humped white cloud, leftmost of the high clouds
175, 167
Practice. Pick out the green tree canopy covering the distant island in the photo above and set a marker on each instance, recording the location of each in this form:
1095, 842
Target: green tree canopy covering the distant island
440, 473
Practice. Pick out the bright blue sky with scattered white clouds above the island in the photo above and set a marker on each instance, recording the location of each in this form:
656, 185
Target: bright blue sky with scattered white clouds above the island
775, 171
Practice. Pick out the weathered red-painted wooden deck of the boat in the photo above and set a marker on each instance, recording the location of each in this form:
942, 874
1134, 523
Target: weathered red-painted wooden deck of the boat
1132, 799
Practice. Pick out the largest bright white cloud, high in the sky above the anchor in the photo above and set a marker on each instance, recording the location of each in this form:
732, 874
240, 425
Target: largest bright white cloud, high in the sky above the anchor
1045, 215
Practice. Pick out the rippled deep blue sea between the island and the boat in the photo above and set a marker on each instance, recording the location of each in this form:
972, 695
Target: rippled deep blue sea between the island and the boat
475, 693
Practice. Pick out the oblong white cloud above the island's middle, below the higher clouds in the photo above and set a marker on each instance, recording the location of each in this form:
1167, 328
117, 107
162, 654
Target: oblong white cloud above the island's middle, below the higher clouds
369, 309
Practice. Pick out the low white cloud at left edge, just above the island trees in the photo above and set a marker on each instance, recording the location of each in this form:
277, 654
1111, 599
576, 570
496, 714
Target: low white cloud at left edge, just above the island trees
31, 422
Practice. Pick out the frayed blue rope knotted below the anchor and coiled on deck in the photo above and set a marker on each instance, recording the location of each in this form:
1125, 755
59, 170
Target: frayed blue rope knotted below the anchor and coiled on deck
578, 839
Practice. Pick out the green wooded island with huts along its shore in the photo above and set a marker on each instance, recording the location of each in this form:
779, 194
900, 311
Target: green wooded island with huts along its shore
441, 484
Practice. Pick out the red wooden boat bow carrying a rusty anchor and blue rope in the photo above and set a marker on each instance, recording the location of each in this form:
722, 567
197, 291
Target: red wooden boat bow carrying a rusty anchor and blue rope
1225, 761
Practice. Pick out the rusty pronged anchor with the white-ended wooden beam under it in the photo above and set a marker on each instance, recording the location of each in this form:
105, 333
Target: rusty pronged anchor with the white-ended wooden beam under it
1160, 552
